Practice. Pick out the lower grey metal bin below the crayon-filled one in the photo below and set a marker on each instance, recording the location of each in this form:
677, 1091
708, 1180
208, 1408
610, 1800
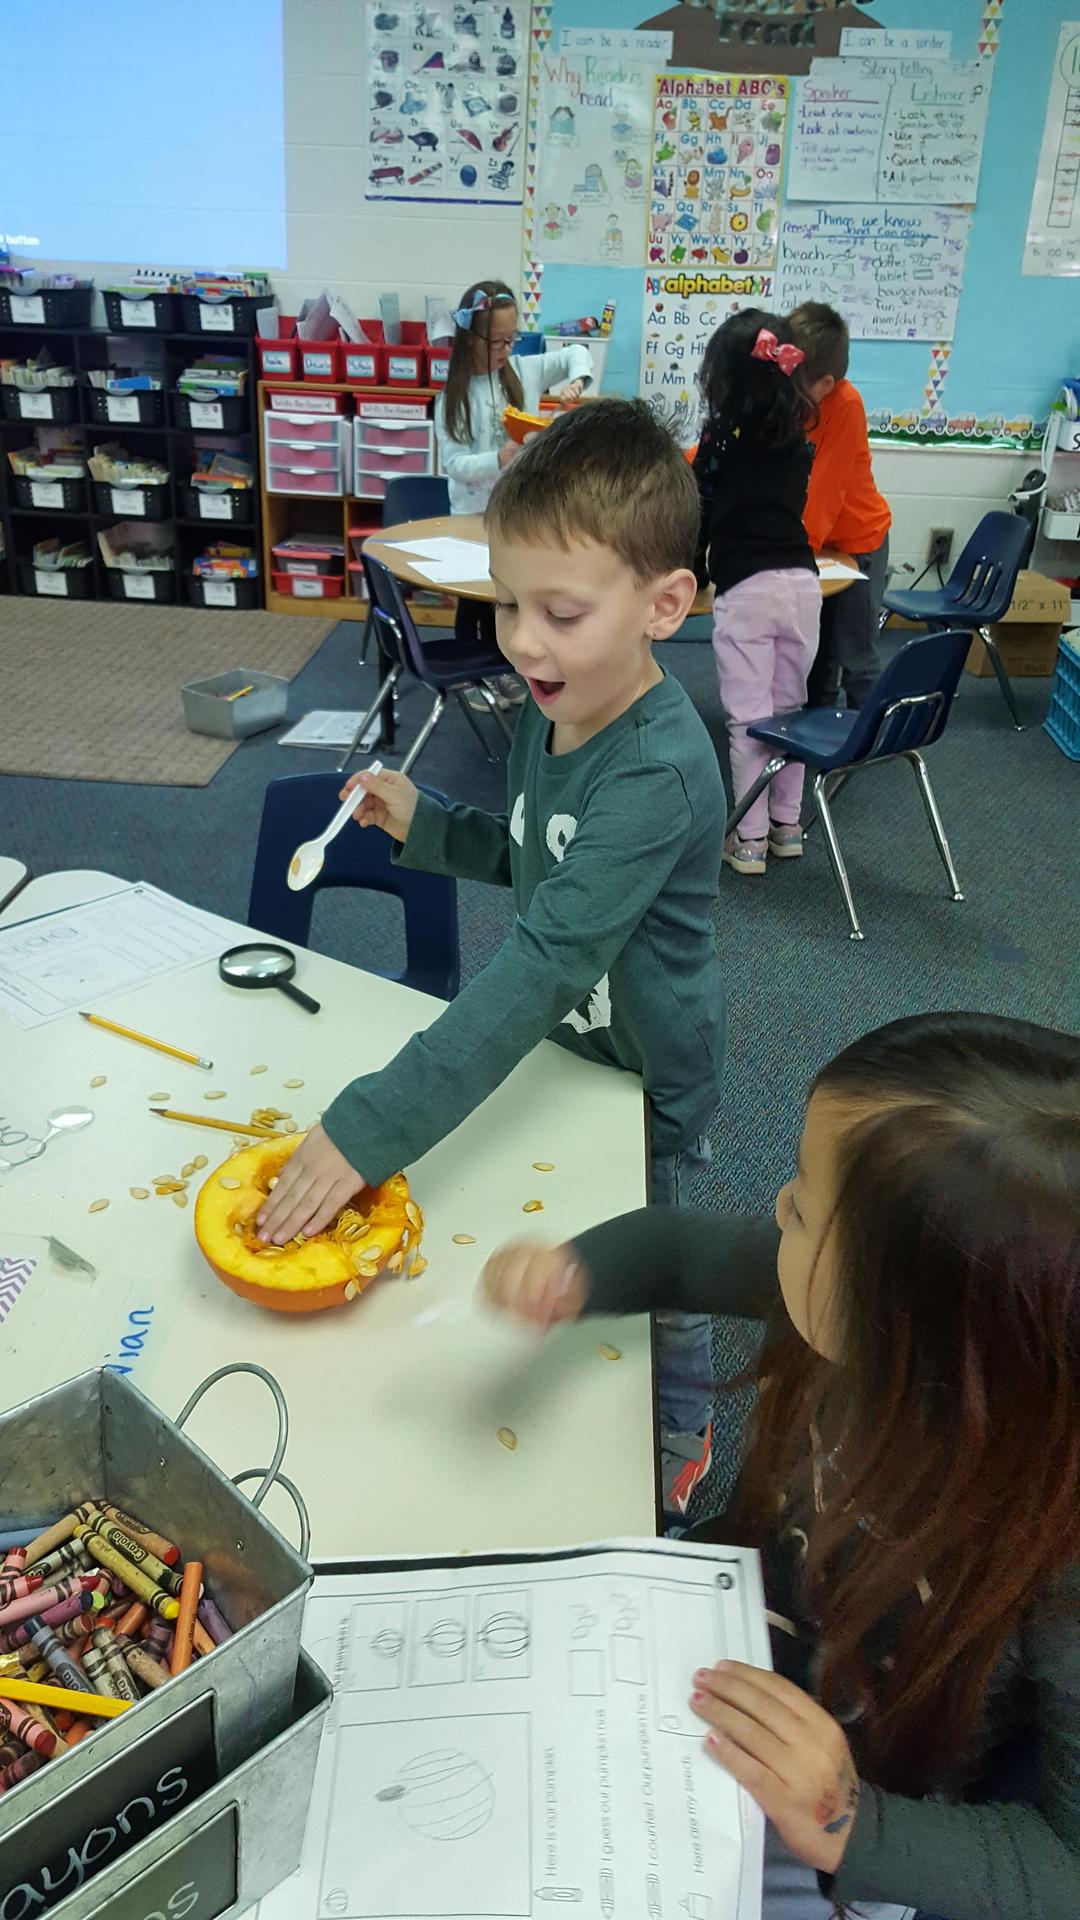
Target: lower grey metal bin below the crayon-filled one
270, 1794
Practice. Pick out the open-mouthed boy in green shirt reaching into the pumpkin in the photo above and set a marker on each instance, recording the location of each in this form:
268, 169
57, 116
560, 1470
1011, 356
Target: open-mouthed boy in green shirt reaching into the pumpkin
612, 846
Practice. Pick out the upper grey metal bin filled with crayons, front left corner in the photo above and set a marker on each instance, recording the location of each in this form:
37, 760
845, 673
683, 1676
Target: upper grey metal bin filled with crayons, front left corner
99, 1435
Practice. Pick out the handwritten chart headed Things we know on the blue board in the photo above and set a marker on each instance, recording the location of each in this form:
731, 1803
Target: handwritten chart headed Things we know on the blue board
895, 274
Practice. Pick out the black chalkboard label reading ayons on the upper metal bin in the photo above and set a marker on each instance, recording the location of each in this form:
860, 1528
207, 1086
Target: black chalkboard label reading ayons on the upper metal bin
82, 1833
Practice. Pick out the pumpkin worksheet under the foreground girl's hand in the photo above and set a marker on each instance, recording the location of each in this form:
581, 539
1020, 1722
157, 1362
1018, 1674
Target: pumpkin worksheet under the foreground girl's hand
514, 1740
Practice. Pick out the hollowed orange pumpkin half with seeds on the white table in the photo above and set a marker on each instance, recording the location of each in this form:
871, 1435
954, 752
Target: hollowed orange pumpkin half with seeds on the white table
378, 1232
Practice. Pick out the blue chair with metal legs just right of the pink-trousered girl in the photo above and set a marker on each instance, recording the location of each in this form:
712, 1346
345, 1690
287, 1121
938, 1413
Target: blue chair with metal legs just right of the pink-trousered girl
904, 715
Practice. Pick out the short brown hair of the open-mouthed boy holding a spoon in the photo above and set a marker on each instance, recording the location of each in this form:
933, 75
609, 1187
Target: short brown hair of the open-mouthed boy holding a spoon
610, 473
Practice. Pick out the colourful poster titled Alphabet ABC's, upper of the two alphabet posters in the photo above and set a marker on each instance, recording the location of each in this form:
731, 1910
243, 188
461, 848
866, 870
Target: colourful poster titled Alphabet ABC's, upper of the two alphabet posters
716, 170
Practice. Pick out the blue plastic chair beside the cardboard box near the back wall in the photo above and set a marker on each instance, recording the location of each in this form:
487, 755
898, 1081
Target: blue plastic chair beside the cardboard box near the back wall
977, 592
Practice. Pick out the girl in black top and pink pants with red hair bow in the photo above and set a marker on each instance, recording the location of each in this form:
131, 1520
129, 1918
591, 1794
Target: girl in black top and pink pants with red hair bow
752, 471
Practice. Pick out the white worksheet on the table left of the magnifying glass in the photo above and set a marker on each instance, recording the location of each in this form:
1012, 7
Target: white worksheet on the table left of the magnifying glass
61, 963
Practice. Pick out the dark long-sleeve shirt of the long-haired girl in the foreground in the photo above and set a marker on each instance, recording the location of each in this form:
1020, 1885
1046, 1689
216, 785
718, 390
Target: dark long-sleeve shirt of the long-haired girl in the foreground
971, 1861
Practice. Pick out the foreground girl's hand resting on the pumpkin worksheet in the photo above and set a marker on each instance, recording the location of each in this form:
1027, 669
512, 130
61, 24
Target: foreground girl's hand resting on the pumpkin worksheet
787, 1752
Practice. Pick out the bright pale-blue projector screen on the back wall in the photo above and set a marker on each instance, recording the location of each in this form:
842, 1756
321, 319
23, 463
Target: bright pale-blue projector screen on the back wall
143, 132
